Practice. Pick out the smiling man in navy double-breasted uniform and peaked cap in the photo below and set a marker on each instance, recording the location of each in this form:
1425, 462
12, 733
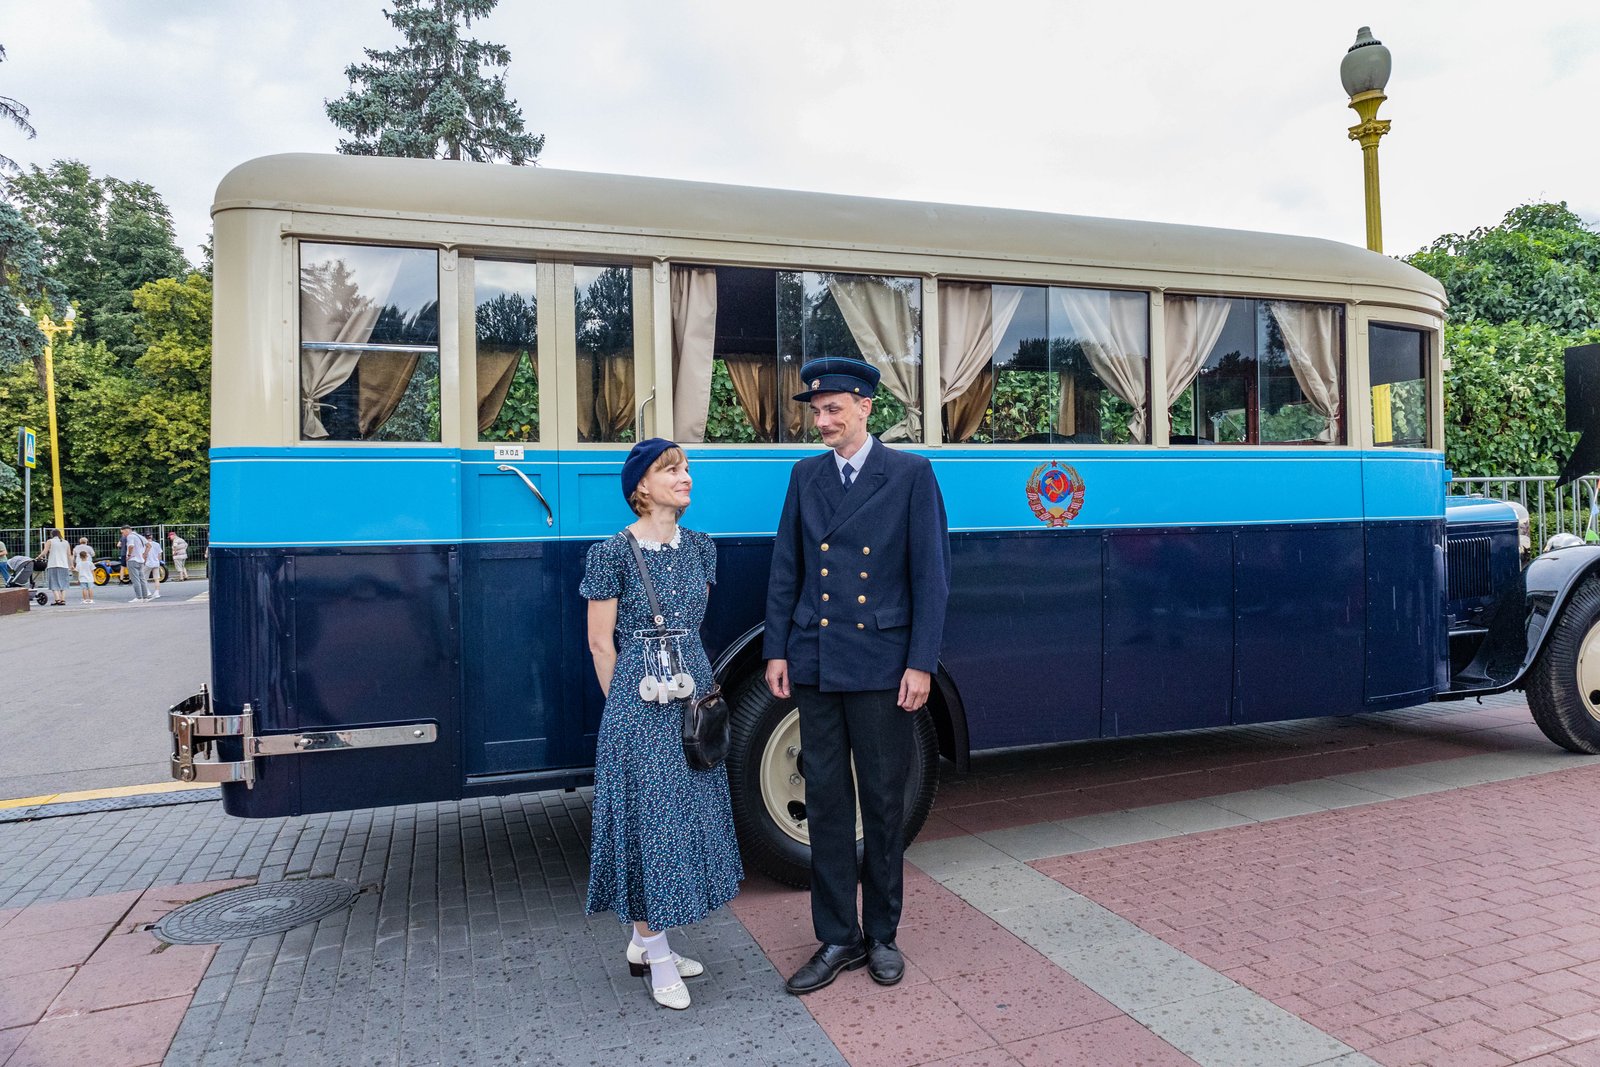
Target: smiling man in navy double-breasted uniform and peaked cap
855, 618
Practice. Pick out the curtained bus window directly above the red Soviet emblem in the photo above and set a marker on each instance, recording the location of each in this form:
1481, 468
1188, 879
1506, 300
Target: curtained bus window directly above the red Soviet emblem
1033, 364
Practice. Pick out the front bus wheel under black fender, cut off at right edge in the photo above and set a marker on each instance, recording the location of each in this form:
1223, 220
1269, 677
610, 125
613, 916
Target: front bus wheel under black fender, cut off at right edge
1564, 689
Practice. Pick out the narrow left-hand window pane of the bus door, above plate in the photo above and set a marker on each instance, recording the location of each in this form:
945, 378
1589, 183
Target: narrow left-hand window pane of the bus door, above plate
508, 351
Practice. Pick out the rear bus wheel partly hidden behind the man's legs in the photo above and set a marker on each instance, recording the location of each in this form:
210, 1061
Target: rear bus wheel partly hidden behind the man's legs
767, 783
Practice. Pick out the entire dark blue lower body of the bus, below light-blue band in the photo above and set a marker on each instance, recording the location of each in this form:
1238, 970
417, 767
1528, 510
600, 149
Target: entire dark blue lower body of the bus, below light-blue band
1052, 636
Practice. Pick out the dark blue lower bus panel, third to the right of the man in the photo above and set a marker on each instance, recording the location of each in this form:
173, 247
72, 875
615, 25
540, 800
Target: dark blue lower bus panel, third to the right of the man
1302, 621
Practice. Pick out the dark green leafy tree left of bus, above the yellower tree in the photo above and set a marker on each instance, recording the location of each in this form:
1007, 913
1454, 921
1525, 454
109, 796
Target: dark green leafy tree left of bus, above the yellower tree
103, 239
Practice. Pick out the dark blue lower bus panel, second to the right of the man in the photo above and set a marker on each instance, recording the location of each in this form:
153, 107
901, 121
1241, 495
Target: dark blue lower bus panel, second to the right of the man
1169, 631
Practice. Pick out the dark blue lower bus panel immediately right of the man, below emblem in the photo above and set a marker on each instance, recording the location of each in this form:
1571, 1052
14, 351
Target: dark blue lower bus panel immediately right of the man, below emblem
1023, 636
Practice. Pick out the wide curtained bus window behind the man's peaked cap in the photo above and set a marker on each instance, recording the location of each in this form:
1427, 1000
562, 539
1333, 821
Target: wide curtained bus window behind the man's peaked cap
740, 337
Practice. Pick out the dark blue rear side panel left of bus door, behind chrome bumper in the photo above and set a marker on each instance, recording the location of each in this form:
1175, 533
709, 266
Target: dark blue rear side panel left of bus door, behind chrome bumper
375, 642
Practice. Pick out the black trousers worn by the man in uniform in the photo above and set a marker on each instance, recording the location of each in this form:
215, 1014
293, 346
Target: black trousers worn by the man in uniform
870, 727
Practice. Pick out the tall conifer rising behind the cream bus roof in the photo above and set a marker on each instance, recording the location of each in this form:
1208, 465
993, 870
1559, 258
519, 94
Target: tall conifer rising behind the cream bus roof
430, 98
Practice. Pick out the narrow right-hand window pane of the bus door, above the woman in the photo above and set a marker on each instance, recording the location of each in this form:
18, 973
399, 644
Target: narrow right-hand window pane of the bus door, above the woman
604, 321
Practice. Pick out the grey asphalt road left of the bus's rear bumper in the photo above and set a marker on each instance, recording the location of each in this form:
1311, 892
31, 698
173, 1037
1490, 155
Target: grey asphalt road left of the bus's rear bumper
84, 690
